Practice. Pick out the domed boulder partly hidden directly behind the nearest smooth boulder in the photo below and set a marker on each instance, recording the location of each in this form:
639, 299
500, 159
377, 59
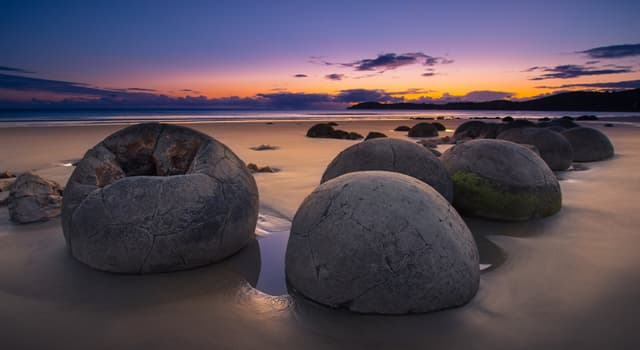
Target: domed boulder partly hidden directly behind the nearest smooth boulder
392, 155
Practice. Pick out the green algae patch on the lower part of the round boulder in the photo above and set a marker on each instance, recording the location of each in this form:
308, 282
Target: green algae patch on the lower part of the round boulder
475, 195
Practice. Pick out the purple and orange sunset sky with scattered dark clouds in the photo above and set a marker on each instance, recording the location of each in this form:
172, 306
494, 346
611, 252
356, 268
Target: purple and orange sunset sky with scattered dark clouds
310, 54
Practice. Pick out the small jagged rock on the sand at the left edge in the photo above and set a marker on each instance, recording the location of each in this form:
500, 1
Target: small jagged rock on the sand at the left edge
34, 199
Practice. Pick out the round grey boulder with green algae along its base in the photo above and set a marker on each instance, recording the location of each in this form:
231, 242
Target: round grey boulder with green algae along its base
502, 180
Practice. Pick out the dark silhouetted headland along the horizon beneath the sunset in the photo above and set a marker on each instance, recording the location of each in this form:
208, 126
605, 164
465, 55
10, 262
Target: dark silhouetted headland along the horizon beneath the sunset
621, 101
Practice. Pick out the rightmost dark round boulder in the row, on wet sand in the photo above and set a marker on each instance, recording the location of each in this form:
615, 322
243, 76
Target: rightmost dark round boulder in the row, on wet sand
589, 145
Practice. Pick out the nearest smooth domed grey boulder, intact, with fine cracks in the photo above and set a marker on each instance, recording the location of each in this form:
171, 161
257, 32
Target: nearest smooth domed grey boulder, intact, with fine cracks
381, 242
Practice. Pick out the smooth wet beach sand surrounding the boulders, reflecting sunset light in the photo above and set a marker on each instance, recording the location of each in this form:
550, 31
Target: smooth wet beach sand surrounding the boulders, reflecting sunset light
568, 281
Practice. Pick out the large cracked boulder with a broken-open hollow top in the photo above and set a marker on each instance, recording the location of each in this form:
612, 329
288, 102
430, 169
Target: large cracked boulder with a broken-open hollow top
157, 198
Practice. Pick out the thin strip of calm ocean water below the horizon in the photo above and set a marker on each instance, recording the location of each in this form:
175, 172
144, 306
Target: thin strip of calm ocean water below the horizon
17, 118
